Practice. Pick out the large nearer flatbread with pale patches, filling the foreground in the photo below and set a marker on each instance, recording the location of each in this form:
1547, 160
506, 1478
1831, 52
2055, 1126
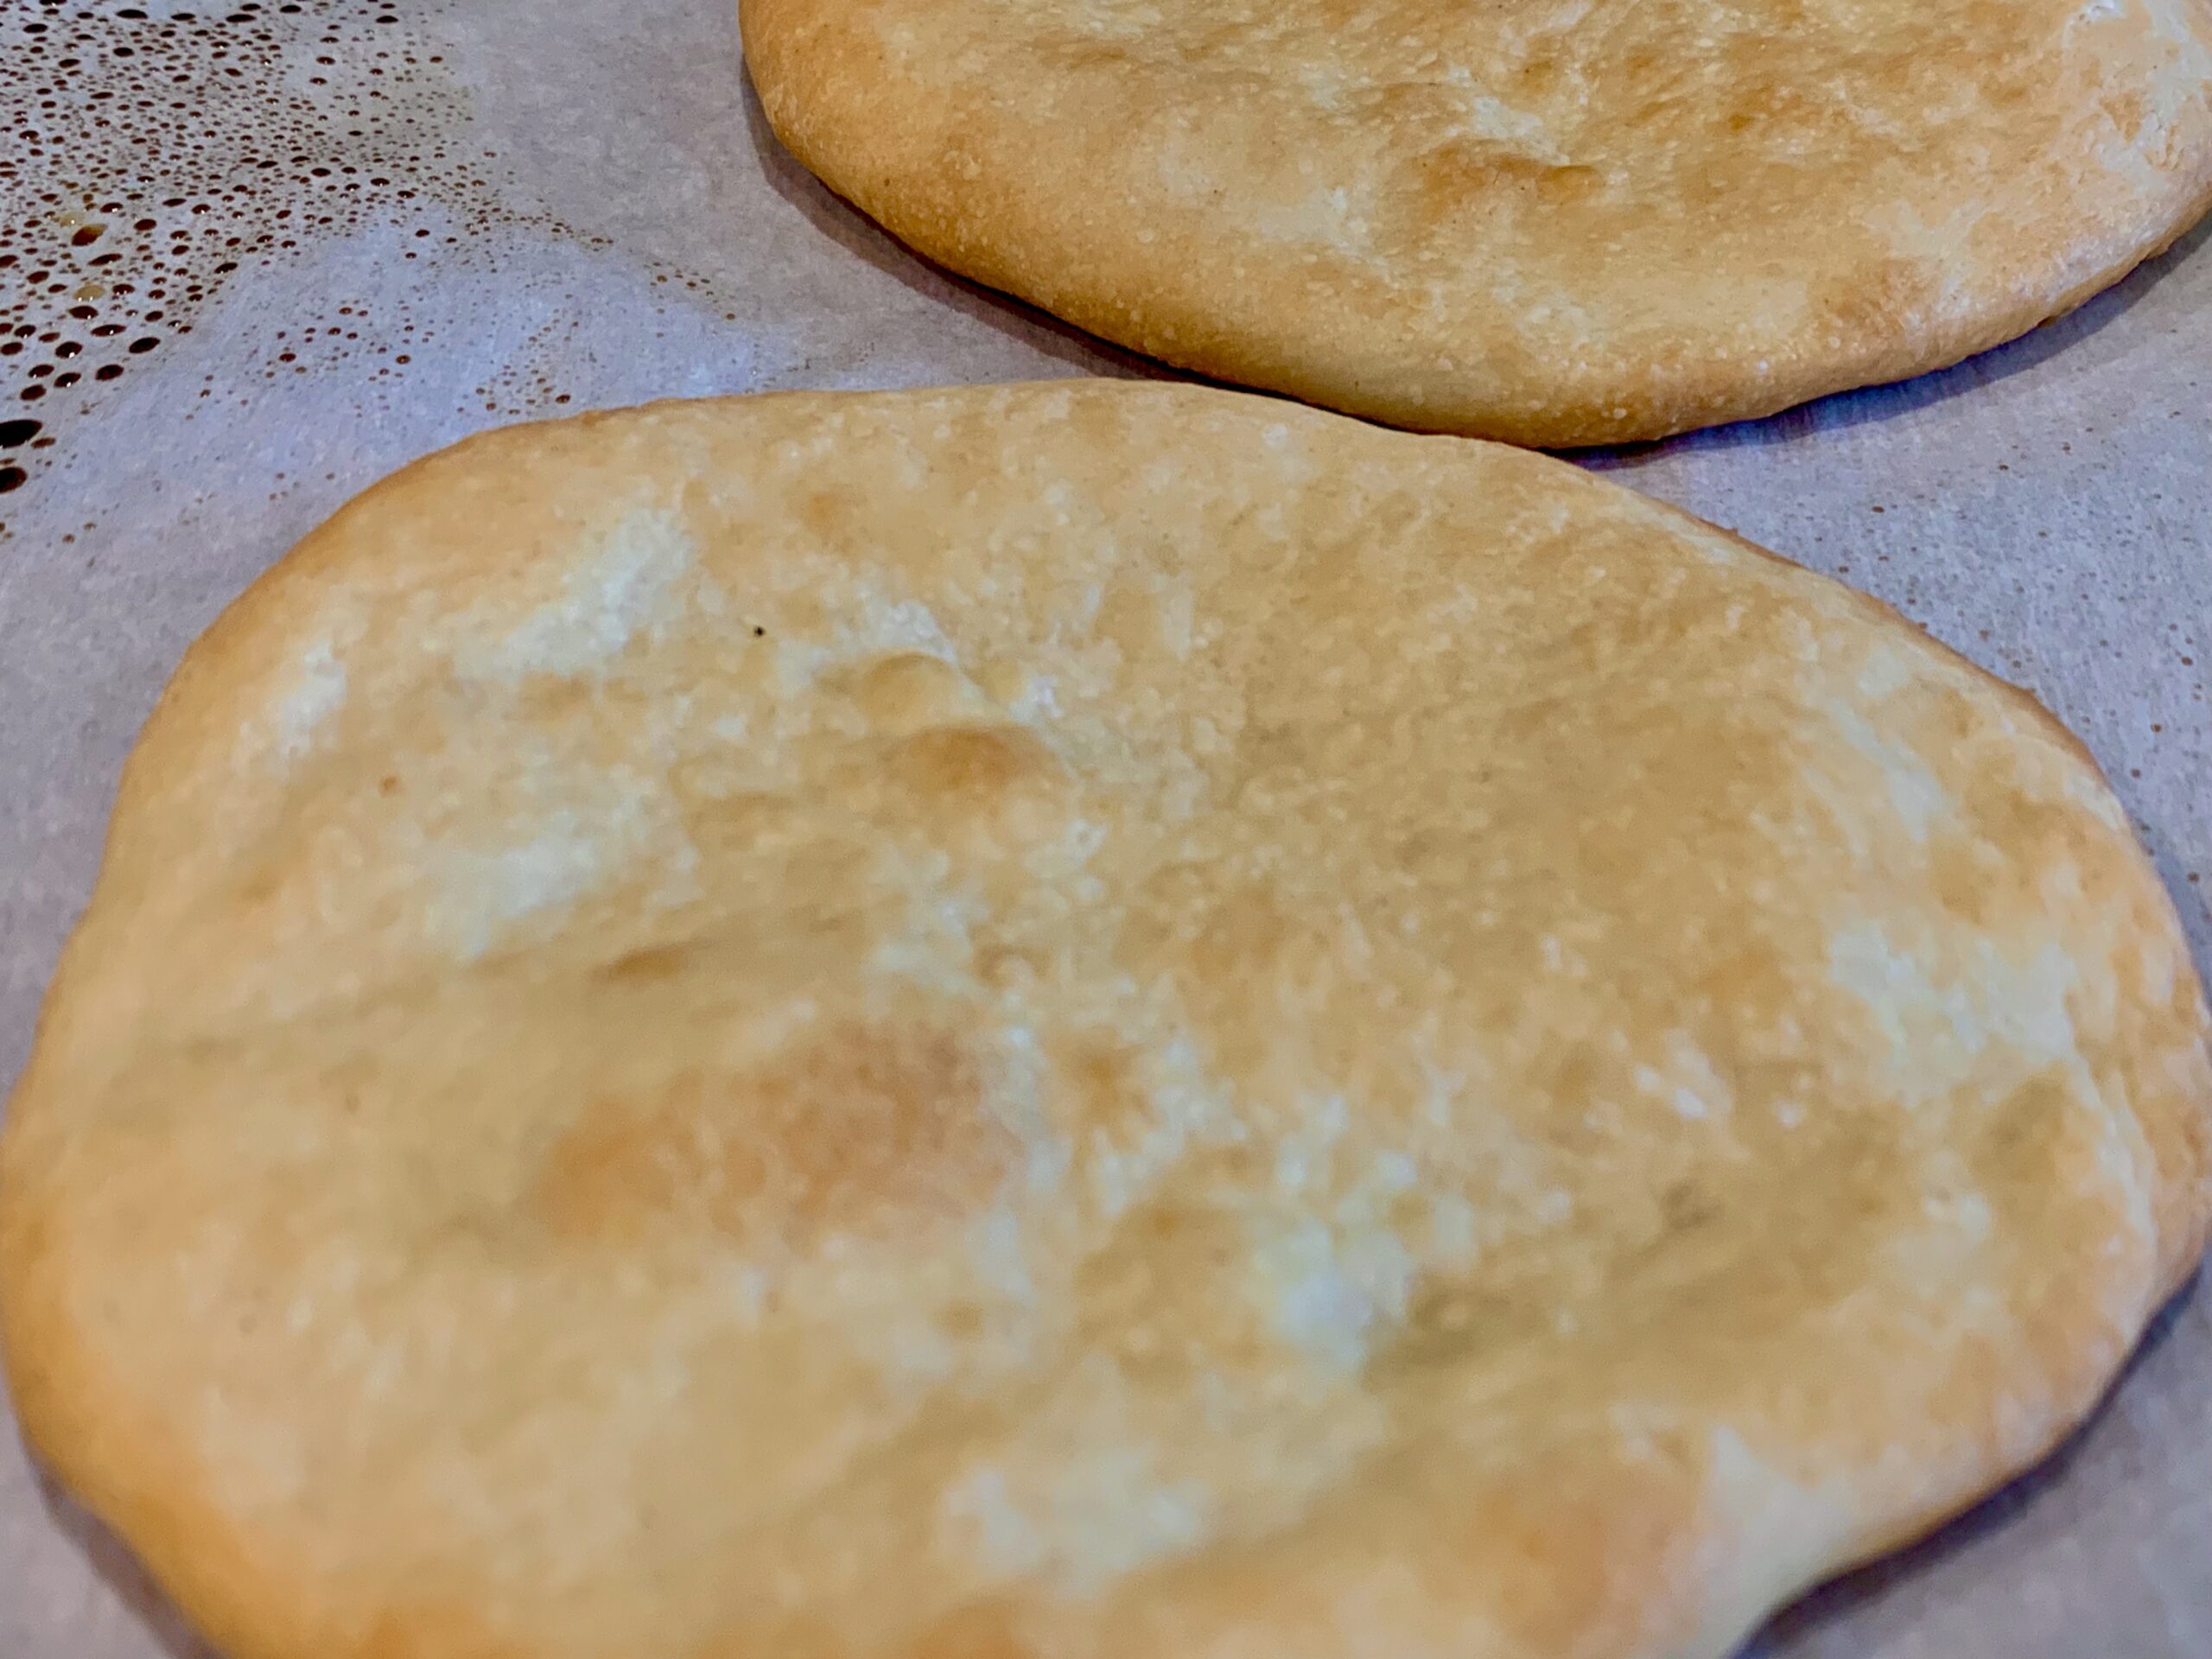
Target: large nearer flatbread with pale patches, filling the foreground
1076, 1023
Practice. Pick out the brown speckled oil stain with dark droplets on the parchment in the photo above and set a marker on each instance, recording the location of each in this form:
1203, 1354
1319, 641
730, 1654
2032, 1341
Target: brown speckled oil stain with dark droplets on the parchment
156, 156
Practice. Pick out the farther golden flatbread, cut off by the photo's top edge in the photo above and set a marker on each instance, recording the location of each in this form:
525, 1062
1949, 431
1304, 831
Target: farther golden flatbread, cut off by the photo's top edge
1558, 222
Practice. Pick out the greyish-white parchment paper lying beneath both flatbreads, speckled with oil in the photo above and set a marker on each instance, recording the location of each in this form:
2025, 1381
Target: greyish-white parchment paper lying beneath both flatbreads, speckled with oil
563, 207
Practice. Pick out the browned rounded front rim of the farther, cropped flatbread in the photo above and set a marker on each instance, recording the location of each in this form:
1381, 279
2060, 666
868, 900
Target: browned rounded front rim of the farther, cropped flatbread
888, 149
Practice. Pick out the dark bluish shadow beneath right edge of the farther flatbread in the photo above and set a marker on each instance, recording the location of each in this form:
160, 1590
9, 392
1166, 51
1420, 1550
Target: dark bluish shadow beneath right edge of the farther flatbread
1895, 399
